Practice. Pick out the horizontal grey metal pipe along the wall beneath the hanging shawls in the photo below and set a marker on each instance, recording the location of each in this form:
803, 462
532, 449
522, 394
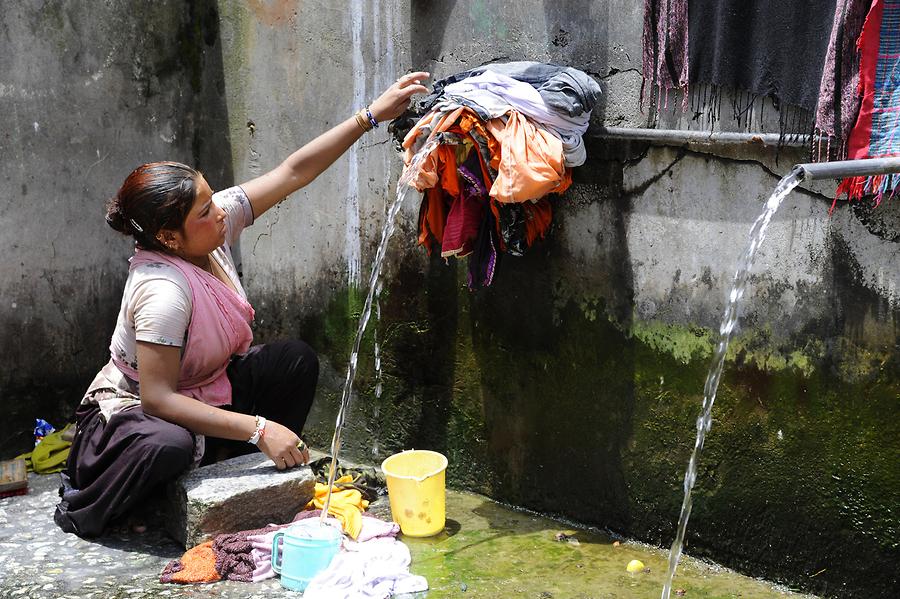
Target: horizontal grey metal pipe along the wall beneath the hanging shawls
679, 136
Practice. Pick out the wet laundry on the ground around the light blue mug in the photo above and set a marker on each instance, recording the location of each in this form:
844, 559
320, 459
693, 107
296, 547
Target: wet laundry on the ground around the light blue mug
371, 561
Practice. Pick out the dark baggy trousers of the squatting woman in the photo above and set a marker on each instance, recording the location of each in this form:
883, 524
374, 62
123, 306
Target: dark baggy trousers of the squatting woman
115, 465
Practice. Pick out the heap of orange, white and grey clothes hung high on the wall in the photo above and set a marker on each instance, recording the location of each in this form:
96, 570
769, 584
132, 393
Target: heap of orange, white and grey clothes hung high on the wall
497, 140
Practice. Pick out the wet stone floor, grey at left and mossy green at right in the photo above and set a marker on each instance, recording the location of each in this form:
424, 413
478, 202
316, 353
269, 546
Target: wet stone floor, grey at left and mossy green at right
487, 550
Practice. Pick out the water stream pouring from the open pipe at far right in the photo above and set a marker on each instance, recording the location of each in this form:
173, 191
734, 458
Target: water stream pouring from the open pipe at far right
729, 320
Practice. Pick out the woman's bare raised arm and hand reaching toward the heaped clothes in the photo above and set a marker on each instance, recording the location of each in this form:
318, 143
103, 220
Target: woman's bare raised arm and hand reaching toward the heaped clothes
307, 163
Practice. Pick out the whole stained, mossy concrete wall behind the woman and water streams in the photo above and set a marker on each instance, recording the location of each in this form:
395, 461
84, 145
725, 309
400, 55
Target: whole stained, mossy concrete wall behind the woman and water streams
572, 384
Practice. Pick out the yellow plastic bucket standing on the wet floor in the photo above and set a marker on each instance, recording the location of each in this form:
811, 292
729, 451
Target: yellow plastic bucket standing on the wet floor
416, 489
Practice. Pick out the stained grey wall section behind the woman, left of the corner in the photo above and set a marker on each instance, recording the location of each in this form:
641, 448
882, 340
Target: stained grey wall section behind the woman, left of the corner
88, 91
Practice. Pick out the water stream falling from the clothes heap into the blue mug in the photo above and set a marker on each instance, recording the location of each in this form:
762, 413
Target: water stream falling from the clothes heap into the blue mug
403, 190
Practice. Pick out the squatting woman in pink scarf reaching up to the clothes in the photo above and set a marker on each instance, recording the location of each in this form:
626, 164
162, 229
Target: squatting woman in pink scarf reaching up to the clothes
183, 380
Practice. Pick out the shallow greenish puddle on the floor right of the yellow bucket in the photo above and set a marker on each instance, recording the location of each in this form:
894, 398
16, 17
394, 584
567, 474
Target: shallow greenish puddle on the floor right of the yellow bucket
490, 550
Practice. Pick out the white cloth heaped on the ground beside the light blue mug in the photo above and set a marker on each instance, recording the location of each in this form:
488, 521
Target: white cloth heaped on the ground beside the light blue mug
375, 569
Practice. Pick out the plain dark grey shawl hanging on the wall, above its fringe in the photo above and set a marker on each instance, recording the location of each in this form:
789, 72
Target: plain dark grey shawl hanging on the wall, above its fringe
773, 48
